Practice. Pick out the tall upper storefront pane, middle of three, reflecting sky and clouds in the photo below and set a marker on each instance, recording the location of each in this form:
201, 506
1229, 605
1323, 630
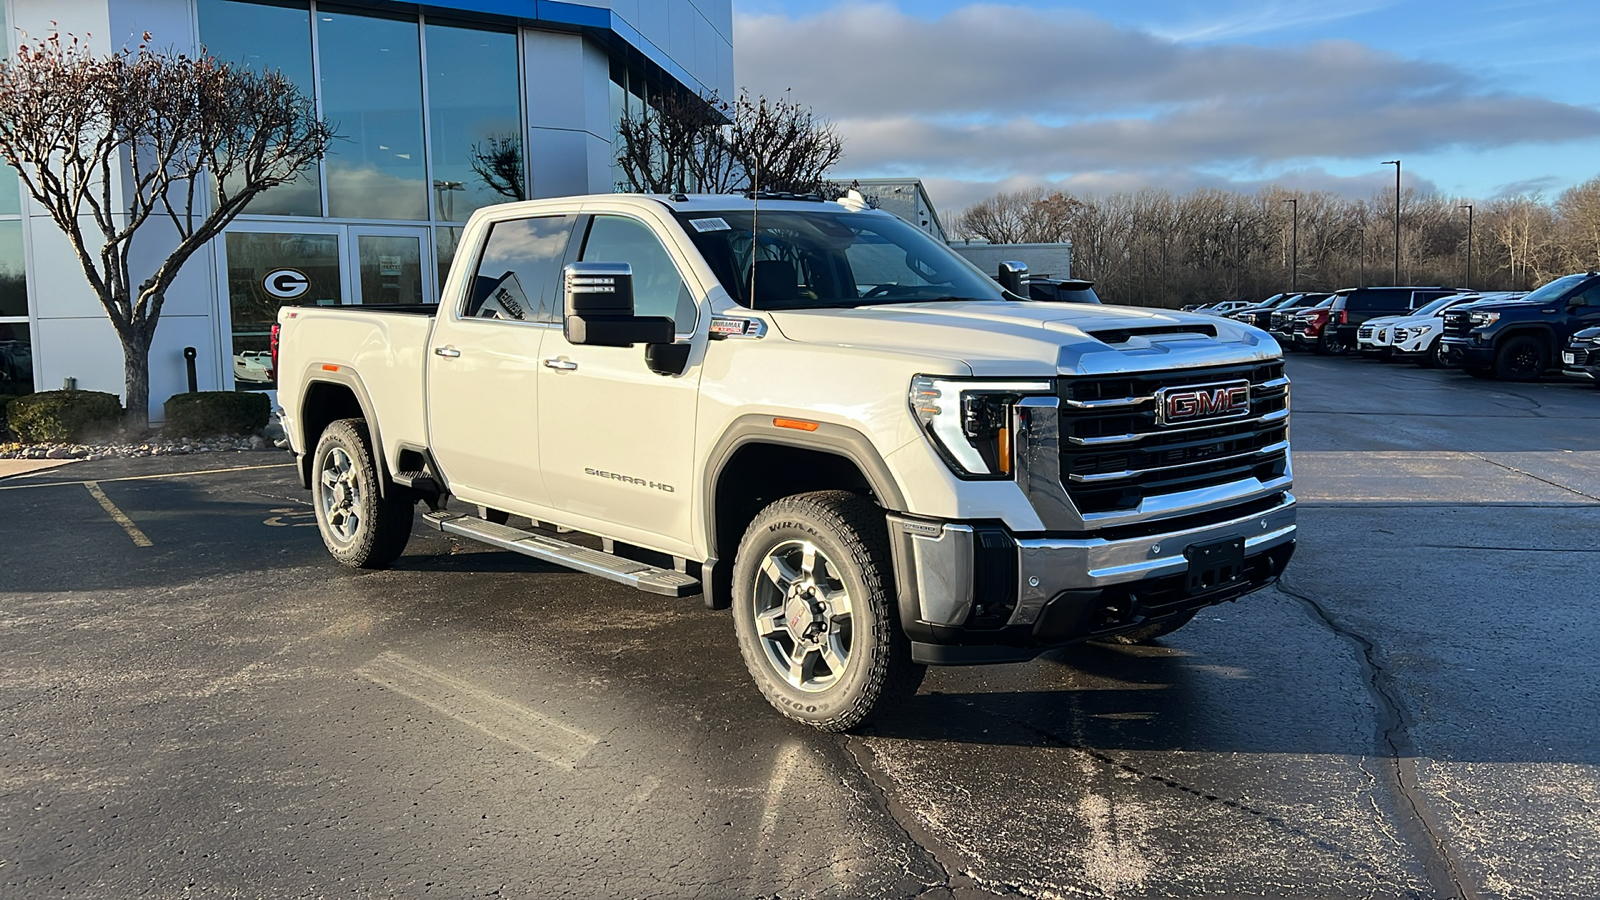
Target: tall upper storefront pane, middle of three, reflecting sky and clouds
372, 92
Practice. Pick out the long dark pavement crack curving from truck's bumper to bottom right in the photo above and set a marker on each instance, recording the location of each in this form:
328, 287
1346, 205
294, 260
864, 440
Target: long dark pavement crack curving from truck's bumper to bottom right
1418, 824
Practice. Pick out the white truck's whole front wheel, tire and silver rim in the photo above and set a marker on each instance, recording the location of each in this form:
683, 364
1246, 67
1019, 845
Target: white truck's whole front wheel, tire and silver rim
815, 614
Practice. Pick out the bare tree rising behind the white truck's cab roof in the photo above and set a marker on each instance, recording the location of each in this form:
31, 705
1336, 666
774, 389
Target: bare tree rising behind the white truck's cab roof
684, 143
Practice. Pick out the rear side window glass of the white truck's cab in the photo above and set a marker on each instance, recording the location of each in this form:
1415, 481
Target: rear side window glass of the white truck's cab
519, 271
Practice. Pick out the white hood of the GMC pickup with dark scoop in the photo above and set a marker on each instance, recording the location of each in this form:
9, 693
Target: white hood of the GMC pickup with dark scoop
1007, 339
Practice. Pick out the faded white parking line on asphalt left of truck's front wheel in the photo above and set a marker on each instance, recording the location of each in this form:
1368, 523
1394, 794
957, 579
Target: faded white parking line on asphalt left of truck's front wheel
542, 736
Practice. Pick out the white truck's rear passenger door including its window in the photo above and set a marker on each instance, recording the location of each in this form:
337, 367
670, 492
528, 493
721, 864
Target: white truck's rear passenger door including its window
486, 360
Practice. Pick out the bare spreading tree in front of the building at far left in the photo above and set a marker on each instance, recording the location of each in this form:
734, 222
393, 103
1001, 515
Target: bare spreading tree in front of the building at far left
118, 142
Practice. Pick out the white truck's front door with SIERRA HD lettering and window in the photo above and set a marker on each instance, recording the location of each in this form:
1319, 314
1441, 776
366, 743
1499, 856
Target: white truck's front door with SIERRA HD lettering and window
618, 440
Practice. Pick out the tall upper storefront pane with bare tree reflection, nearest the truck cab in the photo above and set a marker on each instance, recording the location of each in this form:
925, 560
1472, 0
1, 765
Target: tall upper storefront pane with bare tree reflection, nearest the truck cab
474, 119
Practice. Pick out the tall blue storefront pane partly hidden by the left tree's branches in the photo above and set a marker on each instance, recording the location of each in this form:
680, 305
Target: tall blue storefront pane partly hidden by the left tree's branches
266, 36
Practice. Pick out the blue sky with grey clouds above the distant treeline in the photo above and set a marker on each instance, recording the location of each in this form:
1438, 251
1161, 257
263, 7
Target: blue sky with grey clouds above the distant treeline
1478, 98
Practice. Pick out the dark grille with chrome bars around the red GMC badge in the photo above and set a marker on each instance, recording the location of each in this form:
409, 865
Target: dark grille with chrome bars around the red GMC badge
1114, 454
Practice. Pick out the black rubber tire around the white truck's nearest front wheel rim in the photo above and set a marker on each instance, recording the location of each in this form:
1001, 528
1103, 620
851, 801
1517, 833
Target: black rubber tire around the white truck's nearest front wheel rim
852, 536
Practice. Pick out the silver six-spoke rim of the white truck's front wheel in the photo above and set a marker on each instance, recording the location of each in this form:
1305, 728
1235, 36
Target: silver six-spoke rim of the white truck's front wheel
804, 617
